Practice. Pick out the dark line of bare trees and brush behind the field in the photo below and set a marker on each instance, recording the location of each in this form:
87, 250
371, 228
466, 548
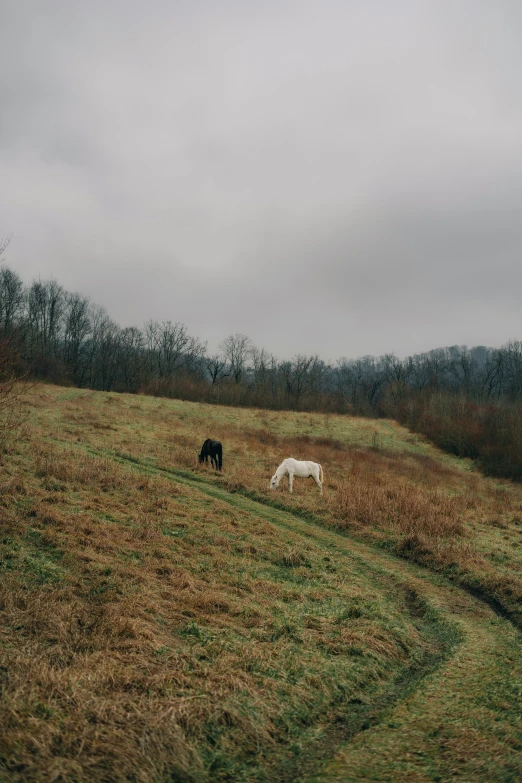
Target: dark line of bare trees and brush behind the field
468, 400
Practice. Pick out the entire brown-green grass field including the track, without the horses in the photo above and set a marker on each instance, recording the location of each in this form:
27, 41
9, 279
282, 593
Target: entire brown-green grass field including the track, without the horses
160, 622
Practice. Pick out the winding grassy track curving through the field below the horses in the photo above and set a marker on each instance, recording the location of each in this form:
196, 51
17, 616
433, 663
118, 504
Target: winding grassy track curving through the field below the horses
460, 720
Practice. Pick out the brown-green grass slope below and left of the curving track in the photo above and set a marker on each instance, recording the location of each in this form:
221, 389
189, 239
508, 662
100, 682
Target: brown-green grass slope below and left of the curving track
150, 633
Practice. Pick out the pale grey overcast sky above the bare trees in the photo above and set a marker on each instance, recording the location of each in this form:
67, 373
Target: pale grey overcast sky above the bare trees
339, 177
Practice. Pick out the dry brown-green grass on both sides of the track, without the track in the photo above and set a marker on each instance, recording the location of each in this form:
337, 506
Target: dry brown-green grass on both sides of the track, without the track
148, 631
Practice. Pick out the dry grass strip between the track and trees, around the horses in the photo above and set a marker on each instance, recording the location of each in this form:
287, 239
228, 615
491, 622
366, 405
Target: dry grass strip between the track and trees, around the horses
395, 489
